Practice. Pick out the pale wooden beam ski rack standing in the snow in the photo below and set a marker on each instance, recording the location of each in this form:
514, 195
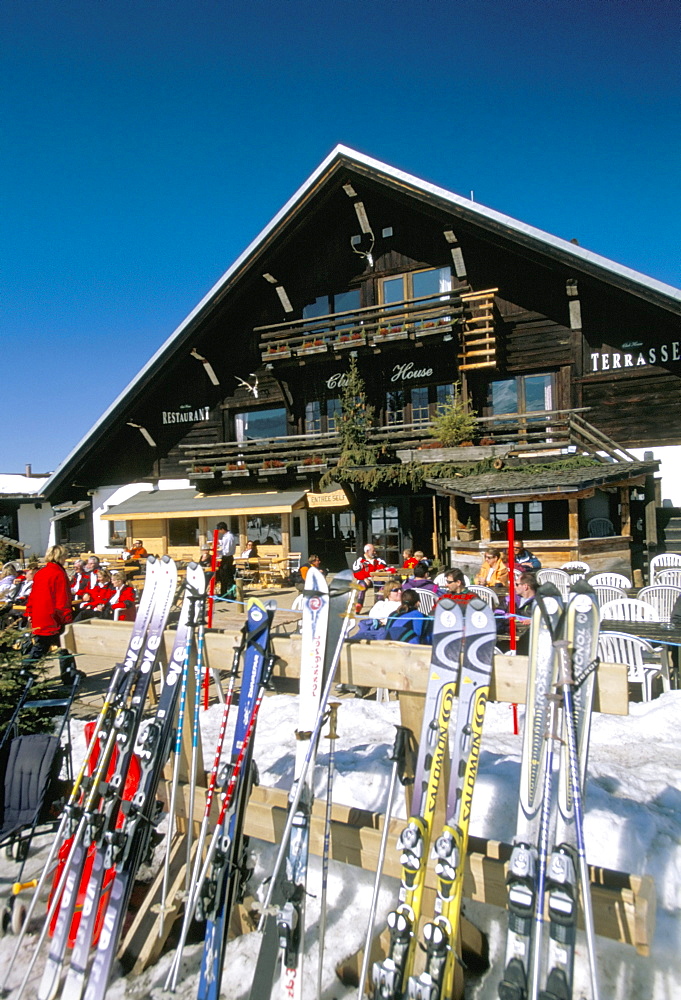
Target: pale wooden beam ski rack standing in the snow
624, 905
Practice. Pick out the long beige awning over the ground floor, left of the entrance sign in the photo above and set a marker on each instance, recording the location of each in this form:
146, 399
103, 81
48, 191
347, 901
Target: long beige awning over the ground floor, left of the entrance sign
189, 503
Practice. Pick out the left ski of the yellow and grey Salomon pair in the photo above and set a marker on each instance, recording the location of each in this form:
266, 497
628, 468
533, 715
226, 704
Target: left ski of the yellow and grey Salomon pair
390, 976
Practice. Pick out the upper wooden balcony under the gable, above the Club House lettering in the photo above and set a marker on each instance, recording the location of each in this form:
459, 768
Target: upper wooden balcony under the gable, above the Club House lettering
467, 315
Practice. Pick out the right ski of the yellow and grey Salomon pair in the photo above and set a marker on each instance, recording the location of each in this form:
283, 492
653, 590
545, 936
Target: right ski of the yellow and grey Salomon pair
441, 934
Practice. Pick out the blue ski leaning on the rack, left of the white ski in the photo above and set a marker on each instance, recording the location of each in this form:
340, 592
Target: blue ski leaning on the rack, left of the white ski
223, 888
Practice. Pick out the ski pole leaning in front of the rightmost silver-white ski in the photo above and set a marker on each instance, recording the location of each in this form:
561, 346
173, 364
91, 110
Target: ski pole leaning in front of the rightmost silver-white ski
565, 683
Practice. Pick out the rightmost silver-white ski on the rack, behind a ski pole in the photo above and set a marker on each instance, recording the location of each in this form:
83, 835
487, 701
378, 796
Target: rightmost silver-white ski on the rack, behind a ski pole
567, 865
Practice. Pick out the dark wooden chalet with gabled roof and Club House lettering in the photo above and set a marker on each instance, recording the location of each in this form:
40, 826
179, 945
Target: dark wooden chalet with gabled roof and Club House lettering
567, 358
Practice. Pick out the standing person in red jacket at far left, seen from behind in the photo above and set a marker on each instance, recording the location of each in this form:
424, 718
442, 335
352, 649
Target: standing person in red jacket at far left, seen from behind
49, 603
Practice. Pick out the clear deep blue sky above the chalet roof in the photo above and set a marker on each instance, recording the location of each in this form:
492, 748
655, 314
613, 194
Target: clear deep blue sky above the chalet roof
146, 142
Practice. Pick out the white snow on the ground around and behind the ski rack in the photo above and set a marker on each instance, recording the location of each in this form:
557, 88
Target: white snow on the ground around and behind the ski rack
633, 823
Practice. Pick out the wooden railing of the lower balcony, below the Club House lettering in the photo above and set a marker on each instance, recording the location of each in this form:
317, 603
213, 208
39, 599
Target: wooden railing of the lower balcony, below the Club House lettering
546, 433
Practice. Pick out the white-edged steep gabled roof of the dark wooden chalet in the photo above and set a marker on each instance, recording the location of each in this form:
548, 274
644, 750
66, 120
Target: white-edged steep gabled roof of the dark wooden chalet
343, 160
